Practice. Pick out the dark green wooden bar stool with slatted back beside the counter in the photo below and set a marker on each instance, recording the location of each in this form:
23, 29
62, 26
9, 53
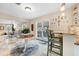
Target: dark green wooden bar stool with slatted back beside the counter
53, 41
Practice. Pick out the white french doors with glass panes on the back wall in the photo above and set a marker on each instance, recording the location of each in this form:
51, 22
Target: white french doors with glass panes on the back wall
41, 30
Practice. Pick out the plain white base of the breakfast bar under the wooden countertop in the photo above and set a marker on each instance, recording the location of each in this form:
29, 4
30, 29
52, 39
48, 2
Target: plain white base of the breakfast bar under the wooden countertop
68, 45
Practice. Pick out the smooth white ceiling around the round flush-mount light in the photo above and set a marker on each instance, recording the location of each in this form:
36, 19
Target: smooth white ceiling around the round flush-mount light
37, 9
